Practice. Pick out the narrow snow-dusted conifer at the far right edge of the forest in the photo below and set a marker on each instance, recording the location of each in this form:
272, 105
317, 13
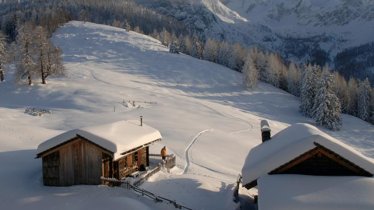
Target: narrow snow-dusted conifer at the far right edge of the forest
363, 101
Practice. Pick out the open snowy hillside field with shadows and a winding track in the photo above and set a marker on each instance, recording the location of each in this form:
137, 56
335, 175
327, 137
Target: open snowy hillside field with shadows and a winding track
203, 112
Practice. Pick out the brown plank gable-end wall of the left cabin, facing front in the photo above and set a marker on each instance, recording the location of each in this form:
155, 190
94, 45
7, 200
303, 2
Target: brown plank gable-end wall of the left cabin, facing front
80, 162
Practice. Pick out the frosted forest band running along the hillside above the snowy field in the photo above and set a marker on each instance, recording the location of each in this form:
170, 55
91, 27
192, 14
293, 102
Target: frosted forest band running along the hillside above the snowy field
41, 19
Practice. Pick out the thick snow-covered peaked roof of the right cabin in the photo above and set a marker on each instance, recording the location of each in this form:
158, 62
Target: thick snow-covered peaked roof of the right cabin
291, 143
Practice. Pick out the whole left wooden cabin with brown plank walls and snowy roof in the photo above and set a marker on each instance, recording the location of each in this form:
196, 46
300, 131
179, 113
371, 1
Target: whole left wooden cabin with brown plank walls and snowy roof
83, 156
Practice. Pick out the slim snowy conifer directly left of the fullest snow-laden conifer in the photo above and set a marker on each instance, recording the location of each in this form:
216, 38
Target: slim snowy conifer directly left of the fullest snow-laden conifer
308, 89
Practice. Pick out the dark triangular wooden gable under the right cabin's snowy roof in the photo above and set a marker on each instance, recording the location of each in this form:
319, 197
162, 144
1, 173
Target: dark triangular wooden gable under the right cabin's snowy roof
321, 161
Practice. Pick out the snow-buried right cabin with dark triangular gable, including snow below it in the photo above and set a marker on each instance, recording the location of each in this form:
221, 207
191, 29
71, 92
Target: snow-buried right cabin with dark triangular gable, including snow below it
300, 155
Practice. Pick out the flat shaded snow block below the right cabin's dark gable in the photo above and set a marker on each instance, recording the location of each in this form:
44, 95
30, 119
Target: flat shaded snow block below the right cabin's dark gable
295, 192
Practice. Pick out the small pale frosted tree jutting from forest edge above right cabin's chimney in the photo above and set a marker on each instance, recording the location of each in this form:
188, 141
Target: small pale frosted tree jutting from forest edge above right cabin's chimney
250, 73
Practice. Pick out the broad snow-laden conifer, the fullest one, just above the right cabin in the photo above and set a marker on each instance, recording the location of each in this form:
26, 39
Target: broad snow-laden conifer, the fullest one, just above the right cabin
327, 111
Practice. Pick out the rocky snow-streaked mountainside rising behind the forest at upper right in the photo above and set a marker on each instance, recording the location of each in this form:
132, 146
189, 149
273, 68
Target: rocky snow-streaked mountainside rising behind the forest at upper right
300, 30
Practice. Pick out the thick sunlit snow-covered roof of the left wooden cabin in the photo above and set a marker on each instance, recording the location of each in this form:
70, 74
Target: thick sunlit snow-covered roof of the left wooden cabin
117, 137
